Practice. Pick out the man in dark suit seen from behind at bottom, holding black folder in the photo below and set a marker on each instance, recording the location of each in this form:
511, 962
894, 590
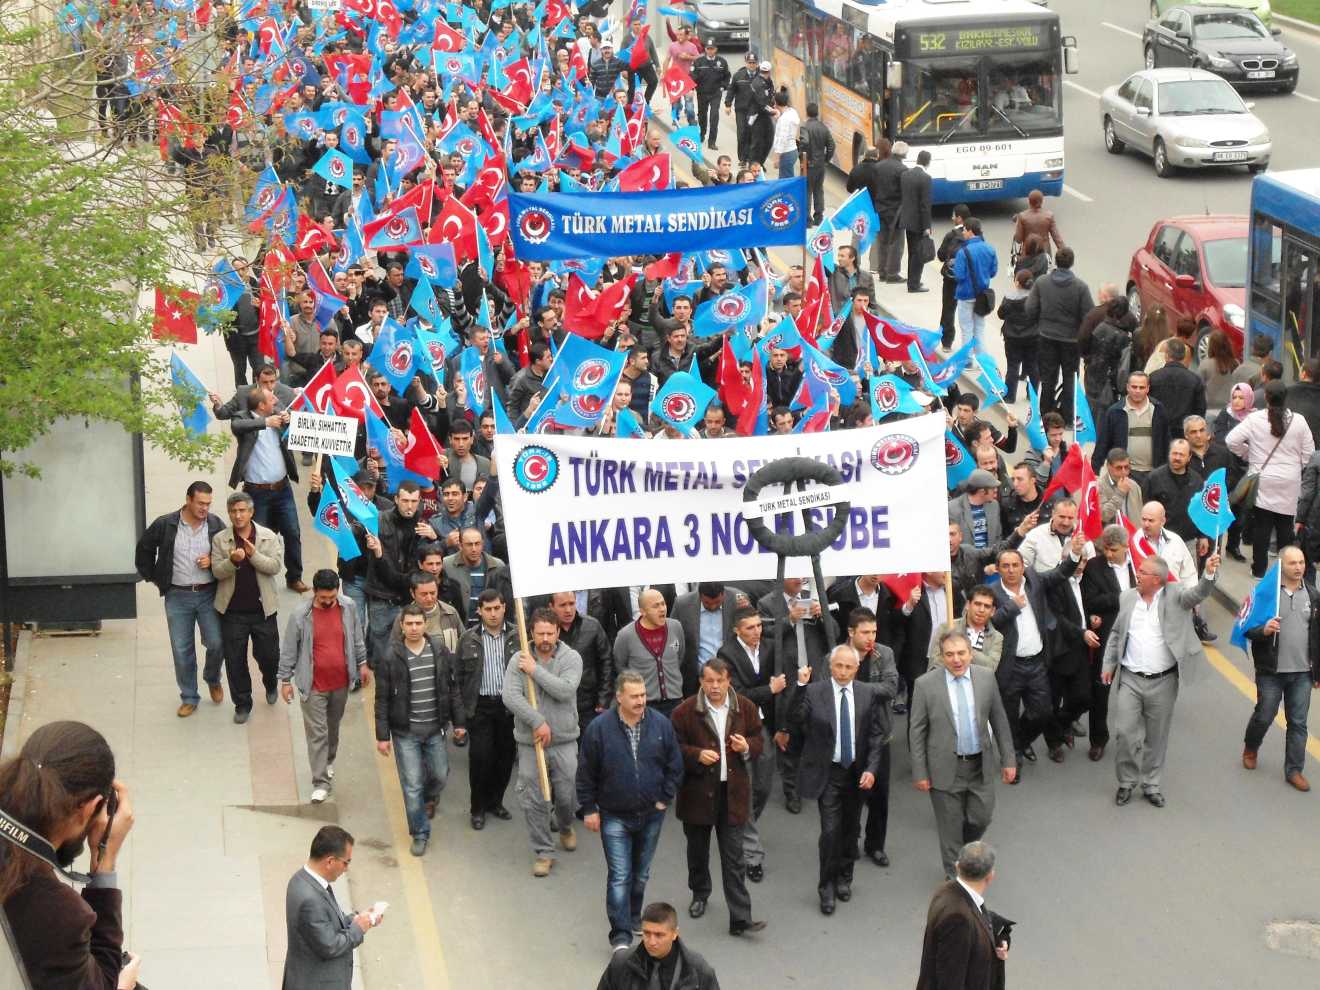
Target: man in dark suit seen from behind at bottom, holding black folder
959, 950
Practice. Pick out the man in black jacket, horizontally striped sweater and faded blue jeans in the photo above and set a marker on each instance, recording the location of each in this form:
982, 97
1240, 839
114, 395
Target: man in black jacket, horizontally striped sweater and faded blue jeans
416, 696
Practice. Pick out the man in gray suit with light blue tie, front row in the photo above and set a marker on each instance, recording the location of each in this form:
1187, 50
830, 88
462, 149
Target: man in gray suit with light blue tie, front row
955, 712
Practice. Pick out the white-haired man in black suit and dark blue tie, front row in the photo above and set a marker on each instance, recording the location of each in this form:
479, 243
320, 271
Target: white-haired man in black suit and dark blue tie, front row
840, 728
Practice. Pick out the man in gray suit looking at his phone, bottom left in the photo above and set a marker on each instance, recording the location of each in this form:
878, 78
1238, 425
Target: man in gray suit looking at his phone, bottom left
321, 935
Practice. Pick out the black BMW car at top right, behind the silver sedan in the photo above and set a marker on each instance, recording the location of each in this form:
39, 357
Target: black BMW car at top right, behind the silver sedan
1228, 42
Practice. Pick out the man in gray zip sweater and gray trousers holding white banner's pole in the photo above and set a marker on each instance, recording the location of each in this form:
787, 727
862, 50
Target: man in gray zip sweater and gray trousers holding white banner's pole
552, 724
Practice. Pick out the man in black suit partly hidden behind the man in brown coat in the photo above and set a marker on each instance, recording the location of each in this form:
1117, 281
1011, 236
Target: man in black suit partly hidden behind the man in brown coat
754, 674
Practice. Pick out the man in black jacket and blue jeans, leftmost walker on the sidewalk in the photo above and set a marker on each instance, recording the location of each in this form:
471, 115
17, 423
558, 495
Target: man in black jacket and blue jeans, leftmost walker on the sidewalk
175, 554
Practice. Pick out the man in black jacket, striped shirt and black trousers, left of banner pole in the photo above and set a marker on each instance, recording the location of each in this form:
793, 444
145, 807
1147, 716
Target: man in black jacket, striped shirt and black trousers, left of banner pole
484, 654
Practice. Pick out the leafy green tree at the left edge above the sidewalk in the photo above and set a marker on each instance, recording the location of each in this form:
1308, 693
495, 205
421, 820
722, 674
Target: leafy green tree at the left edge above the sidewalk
94, 221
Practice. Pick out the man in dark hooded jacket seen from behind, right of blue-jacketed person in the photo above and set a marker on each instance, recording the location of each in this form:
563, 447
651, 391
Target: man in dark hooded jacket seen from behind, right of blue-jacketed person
1059, 303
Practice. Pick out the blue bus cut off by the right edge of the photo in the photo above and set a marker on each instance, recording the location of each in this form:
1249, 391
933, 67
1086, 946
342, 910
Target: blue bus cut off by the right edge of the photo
1285, 246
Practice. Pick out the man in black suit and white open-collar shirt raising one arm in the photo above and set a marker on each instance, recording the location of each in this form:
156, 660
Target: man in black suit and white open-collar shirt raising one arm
1028, 621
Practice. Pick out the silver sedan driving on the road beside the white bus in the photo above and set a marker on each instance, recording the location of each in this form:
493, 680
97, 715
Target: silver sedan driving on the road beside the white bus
1183, 118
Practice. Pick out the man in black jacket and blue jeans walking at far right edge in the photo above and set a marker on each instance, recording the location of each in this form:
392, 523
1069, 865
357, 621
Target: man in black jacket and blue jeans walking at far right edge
1286, 653
